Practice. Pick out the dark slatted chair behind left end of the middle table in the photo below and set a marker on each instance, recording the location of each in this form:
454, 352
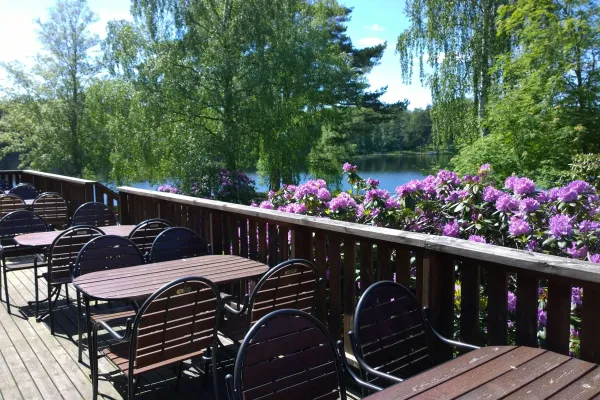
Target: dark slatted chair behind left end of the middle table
100, 254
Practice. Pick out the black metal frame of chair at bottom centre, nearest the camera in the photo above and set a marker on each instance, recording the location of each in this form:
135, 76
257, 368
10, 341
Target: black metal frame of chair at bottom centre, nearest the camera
235, 384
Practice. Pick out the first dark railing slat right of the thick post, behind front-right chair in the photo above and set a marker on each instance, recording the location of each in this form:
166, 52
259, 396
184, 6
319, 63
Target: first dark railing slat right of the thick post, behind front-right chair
469, 302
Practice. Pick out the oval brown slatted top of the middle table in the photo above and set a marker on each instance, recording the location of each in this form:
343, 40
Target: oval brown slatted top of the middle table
139, 282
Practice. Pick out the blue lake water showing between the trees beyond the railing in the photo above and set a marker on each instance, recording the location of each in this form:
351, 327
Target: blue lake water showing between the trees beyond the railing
391, 170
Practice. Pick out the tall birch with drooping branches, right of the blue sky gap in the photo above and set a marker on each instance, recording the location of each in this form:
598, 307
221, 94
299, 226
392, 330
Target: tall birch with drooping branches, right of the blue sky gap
455, 43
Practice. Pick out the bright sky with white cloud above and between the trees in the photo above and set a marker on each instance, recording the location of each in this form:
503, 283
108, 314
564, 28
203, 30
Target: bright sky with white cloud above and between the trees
373, 22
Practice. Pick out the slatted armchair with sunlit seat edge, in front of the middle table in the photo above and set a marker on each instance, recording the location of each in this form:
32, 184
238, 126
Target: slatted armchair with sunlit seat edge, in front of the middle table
178, 322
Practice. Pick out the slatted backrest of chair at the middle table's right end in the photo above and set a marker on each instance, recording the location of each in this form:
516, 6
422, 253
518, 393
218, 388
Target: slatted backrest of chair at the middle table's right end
291, 284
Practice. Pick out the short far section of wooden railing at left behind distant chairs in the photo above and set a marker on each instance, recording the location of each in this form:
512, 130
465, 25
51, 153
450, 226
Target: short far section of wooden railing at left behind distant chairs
76, 191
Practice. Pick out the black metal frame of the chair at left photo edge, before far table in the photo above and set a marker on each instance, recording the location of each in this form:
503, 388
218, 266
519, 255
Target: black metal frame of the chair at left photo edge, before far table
13, 250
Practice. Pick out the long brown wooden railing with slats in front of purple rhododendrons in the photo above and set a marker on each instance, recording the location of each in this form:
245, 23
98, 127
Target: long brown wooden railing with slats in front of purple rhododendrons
339, 249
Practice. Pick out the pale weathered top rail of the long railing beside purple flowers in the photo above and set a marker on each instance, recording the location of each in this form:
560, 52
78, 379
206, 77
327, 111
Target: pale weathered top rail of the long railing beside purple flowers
543, 263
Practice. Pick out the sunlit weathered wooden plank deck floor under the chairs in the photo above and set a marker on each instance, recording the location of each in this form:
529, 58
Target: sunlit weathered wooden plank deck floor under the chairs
36, 365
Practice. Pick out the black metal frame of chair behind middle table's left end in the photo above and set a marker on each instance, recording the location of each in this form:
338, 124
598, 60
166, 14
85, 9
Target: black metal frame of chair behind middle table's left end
86, 300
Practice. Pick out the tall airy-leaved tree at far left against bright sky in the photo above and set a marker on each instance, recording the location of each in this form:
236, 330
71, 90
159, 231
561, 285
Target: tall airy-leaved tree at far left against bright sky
46, 114
